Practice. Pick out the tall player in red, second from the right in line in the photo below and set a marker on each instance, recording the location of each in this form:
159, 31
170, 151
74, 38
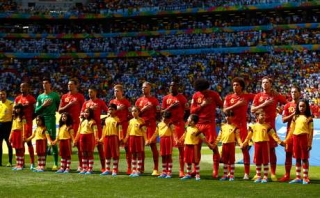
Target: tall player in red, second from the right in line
267, 100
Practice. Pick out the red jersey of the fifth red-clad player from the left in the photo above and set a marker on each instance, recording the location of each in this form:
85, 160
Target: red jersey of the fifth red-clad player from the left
151, 113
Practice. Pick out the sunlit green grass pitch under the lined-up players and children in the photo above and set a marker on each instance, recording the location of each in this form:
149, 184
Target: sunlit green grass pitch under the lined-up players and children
26, 183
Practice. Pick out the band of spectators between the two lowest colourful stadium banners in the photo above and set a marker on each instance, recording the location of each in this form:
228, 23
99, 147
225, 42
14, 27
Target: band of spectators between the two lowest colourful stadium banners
164, 42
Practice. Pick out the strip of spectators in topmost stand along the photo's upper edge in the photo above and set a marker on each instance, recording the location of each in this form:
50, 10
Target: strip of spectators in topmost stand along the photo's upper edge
128, 6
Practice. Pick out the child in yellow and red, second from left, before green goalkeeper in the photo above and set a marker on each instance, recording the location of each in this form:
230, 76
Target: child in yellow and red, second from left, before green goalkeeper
41, 136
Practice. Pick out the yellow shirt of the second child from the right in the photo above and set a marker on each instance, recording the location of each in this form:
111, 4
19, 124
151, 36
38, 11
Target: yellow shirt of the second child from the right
260, 133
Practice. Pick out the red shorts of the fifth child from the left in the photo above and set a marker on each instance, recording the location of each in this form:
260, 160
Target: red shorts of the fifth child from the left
111, 147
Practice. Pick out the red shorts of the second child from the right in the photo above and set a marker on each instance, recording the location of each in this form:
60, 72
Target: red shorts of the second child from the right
261, 152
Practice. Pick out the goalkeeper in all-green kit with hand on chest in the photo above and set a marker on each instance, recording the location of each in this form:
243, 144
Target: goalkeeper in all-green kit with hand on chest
46, 106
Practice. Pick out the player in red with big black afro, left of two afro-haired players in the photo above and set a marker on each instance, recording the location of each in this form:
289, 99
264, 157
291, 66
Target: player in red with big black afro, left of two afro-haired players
204, 103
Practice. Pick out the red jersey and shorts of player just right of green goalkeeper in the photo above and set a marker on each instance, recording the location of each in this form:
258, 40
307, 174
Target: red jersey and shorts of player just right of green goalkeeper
75, 109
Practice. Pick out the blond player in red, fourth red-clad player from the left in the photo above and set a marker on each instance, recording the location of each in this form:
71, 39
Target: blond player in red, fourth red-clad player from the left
123, 113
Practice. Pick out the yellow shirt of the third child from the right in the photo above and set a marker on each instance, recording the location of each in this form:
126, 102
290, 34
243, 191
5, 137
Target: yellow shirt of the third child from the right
228, 133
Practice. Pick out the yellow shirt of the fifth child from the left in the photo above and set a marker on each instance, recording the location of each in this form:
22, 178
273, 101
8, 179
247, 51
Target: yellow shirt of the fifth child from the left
112, 127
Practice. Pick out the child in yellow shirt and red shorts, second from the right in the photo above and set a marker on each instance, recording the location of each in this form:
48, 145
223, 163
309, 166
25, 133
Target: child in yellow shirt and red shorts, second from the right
259, 132
